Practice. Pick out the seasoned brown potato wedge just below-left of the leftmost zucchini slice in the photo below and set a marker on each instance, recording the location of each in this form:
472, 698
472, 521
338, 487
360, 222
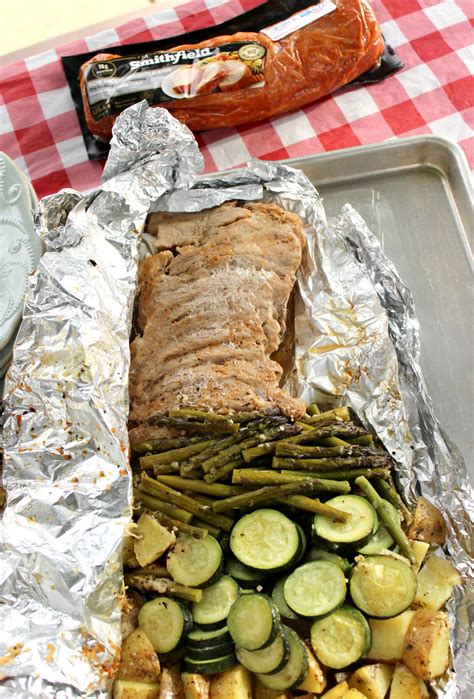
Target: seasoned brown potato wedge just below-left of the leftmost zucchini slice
139, 661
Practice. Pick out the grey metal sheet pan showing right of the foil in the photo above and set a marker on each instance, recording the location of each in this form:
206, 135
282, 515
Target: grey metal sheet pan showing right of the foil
415, 194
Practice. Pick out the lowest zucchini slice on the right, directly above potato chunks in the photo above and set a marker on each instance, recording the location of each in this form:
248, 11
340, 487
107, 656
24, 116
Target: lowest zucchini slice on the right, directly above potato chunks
340, 638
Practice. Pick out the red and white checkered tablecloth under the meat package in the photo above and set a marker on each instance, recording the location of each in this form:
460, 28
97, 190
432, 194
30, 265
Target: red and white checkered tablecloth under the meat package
434, 93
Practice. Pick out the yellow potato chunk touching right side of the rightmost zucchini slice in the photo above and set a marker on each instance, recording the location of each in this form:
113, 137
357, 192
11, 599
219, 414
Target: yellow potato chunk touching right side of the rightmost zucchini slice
436, 581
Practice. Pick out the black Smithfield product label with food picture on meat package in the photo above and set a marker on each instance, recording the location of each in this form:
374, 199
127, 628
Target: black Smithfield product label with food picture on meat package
113, 85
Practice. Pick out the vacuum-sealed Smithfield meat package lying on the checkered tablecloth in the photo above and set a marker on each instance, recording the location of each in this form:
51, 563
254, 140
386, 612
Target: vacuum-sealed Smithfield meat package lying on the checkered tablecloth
266, 62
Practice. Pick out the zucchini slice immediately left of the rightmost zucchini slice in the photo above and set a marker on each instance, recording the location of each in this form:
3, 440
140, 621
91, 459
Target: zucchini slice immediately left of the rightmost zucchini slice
315, 588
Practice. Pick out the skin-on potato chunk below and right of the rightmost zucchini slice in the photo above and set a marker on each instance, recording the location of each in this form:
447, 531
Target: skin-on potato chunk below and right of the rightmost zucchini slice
426, 648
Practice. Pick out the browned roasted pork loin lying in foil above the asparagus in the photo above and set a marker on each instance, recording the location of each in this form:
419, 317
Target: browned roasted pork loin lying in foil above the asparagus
211, 310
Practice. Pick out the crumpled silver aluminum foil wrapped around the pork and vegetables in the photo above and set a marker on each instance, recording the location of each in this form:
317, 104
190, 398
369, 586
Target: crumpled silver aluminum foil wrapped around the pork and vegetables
356, 343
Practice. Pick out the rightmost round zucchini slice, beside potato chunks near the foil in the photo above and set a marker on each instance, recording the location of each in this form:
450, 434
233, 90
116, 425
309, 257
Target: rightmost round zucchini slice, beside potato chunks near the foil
382, 586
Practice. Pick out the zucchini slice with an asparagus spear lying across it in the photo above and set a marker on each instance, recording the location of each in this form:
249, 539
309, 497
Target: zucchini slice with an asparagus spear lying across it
362, 524
